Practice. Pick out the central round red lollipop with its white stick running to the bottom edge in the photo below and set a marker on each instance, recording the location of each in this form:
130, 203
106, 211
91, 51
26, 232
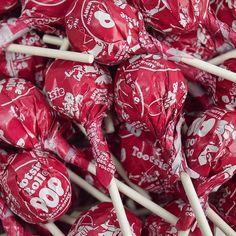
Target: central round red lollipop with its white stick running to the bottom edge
155, 104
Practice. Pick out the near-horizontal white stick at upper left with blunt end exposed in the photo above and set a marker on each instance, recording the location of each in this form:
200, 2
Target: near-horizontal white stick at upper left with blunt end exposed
51, 53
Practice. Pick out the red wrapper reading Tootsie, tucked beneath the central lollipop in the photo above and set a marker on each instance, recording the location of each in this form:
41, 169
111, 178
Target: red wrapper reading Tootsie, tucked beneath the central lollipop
142, 158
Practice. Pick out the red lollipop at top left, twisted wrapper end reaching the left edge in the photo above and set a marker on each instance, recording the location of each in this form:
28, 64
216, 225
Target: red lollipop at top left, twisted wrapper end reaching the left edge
44, 15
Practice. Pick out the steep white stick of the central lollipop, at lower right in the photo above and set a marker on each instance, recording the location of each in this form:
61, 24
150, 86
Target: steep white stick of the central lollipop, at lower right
195, 204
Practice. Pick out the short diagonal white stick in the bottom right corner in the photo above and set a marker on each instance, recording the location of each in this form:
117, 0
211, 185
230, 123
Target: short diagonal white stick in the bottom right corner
219, 222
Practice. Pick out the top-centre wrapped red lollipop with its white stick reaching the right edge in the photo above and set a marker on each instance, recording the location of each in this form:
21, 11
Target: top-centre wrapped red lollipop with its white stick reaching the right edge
118, 33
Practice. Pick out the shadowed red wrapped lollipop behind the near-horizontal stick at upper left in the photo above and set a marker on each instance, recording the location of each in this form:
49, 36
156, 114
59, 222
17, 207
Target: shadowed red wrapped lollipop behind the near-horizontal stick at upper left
22, 65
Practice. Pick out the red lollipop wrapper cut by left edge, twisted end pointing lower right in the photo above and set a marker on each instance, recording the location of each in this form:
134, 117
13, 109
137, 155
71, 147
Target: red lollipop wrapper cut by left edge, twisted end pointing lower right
25, 110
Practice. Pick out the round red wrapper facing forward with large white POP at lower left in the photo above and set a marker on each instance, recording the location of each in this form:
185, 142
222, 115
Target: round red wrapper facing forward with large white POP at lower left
36, 187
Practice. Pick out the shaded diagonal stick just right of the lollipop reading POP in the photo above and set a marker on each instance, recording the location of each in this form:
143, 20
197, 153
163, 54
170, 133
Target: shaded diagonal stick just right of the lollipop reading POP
88, 187
